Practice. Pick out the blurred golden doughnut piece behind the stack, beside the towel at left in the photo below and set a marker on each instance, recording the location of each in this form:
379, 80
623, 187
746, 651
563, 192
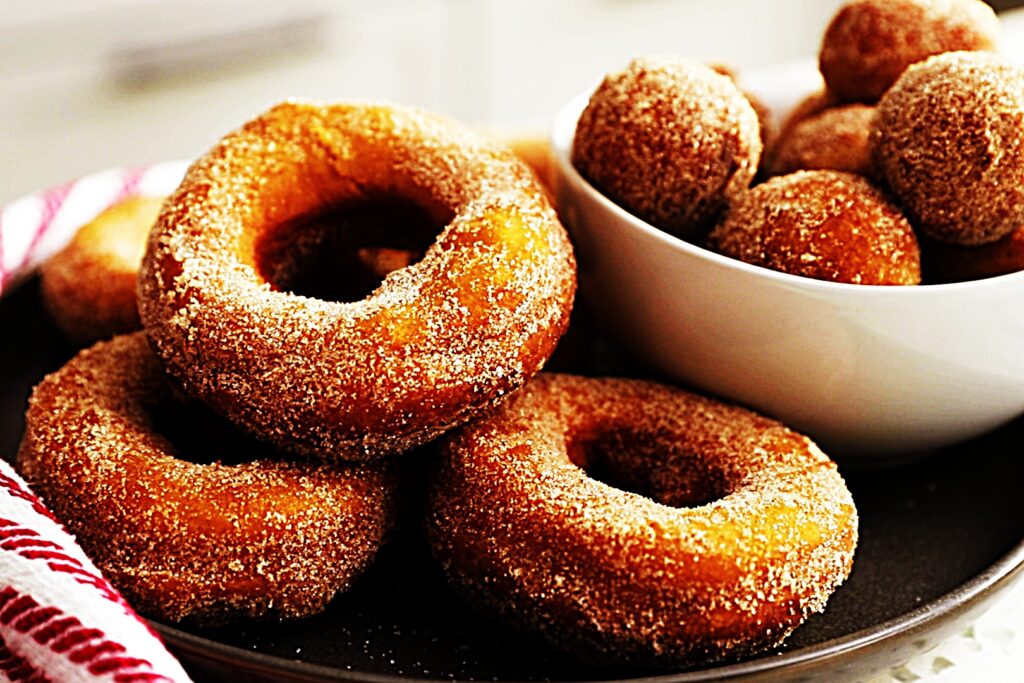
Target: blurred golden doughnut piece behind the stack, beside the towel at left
89, 288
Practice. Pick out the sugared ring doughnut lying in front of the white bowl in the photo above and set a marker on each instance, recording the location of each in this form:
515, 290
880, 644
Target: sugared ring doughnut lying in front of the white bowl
638, 524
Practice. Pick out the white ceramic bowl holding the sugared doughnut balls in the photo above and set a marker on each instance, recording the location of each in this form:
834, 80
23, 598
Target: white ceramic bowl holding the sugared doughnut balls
874, 374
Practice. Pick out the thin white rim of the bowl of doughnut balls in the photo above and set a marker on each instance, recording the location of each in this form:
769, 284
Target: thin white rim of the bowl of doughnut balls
562, 135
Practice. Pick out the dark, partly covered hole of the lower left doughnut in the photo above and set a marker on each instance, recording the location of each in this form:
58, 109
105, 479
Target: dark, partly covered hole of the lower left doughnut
199, 436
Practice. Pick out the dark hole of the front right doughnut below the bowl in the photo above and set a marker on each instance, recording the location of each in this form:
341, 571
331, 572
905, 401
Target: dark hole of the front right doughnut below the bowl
651, 466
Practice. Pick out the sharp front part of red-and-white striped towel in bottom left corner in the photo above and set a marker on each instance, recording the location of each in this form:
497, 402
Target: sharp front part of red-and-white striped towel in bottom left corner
60, 620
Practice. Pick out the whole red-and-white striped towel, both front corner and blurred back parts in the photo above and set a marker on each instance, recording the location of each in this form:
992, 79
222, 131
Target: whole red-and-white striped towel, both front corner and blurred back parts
60, 620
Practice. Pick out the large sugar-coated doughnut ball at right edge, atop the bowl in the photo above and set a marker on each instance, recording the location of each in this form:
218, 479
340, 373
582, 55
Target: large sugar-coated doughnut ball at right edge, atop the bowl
949, 140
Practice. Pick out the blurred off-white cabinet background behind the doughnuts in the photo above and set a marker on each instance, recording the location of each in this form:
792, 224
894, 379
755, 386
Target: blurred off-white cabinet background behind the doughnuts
90, 84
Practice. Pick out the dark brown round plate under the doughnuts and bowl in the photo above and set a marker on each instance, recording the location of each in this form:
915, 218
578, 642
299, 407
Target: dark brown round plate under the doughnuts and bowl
942, 539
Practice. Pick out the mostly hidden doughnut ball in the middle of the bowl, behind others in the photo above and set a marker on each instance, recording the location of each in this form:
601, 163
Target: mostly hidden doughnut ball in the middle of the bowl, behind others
835, 139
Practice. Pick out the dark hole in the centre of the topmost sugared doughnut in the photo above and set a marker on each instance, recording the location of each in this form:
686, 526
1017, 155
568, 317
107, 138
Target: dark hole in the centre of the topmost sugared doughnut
346, 250
